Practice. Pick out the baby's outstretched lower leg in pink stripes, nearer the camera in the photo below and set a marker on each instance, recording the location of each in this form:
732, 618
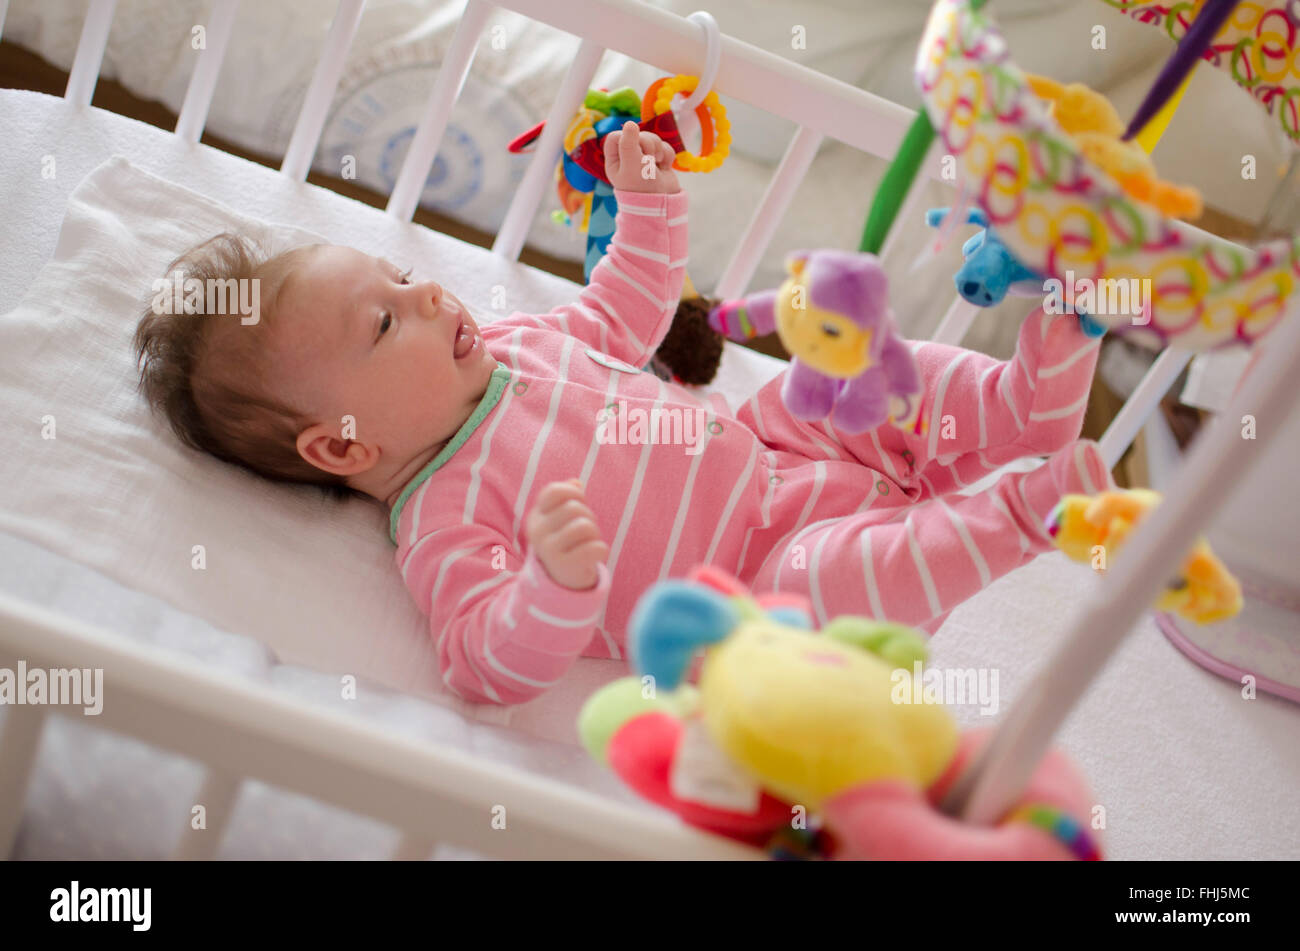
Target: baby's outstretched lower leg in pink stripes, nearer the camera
917, 563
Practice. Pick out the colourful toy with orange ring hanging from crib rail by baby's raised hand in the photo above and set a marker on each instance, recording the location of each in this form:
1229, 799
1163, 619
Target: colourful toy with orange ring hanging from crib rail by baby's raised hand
674, 108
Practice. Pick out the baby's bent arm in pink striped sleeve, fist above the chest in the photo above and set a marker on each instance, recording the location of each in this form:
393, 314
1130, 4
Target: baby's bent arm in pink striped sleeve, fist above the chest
508, 627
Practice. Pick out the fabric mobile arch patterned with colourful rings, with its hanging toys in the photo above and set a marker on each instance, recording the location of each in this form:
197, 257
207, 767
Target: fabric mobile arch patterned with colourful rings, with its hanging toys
1068, 190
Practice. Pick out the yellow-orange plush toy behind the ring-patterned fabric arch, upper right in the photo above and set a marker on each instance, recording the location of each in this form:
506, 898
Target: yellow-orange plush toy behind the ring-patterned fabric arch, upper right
1093, 123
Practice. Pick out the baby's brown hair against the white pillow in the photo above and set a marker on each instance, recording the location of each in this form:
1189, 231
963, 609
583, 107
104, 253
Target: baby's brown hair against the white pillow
210, 374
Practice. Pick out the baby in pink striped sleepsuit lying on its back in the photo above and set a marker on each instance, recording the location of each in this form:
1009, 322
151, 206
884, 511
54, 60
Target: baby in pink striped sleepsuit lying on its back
525, 535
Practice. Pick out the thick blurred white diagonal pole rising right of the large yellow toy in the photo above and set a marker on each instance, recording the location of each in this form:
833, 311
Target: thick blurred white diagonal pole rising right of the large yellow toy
1215, 467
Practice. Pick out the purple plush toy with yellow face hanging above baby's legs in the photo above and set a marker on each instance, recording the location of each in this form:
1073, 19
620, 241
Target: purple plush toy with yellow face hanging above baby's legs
833, 315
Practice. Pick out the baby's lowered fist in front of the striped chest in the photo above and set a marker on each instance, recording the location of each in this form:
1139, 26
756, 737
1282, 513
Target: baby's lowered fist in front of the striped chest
562, 529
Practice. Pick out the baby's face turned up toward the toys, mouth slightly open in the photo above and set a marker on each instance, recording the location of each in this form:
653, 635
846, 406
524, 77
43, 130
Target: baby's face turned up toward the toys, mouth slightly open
356, 337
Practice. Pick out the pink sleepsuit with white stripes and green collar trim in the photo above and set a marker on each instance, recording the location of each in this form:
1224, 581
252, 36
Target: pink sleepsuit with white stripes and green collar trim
864, 524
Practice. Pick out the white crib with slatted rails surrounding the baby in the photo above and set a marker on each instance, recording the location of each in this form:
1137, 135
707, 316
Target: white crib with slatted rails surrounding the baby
245, 732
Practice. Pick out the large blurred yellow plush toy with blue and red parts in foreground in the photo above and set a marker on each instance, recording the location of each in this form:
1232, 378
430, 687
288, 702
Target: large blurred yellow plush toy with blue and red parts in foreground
790, 724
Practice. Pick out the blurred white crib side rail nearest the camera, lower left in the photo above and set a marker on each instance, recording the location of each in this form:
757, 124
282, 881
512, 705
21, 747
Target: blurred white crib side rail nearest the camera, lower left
246, 731
